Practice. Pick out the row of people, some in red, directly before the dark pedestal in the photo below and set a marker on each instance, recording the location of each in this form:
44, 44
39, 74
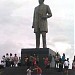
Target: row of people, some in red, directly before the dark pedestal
35, 60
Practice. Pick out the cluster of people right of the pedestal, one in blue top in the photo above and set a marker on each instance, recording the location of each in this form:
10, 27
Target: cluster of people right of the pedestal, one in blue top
61, 62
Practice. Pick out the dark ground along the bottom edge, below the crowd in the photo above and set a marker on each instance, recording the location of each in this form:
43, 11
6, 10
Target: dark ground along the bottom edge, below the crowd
22, 71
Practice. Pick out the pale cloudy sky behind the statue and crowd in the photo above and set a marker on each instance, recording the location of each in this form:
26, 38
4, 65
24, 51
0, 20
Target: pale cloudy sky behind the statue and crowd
16, 17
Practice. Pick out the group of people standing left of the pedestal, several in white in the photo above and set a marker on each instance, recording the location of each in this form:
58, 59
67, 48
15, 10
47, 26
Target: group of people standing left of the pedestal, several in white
9, 60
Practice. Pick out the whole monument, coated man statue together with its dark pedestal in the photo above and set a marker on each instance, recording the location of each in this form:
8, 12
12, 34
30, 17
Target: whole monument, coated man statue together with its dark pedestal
41, 13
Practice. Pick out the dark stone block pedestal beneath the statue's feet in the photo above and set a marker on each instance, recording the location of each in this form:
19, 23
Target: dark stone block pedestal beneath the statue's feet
40, 52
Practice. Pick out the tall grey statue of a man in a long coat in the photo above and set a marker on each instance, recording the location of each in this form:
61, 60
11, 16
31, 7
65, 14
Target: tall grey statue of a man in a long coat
41, 13
